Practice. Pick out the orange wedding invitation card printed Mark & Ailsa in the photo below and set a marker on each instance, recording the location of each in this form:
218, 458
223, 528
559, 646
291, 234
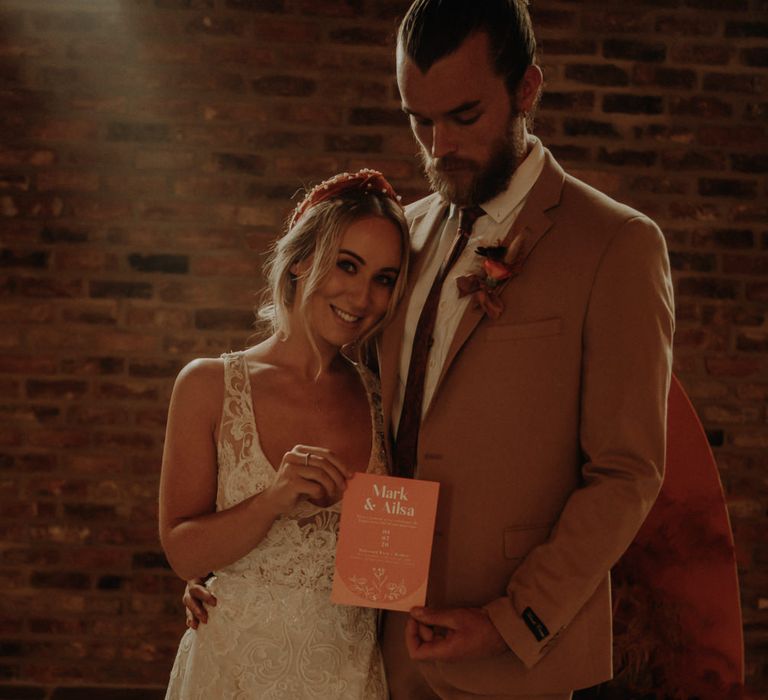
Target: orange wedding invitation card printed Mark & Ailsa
385, 542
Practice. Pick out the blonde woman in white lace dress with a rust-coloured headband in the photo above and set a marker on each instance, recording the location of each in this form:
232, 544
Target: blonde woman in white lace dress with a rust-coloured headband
259, 447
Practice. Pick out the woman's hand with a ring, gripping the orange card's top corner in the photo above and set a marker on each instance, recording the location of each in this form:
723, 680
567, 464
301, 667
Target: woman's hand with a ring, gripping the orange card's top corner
311, 473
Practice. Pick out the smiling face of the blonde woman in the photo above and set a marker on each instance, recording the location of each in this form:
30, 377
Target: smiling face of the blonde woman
355, 294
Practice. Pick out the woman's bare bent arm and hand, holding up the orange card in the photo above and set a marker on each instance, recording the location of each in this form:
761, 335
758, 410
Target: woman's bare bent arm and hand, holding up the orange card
195, 537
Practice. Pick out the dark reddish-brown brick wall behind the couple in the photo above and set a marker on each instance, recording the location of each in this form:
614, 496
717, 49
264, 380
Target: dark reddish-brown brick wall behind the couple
149, 150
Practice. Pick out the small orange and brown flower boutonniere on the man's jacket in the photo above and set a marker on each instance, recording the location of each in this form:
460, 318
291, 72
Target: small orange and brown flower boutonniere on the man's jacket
499, 264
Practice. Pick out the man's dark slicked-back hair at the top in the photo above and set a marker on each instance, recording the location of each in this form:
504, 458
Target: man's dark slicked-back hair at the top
433, 29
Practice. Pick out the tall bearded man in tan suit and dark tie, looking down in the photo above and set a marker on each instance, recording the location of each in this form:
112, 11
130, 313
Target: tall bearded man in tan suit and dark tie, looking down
530, 380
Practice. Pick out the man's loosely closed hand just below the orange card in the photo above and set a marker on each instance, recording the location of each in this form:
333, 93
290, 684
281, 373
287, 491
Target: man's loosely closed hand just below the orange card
452, 633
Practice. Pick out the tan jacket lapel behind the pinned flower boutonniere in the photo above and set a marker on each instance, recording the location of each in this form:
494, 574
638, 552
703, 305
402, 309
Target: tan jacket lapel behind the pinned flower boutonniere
531, 223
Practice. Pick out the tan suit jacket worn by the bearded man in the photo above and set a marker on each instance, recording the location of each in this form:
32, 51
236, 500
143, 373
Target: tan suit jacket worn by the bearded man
546, 433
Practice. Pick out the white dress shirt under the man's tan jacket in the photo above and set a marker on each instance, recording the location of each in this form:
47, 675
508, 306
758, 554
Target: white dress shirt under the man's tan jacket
501, 212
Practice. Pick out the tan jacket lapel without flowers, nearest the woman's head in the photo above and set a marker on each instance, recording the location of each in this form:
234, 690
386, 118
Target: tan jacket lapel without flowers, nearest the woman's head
423, 239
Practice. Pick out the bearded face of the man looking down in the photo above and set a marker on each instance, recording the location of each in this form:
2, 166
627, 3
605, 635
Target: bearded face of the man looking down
470, 135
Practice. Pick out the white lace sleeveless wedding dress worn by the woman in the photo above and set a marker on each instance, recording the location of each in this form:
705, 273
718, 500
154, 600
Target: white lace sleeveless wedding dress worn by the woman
274, 634
